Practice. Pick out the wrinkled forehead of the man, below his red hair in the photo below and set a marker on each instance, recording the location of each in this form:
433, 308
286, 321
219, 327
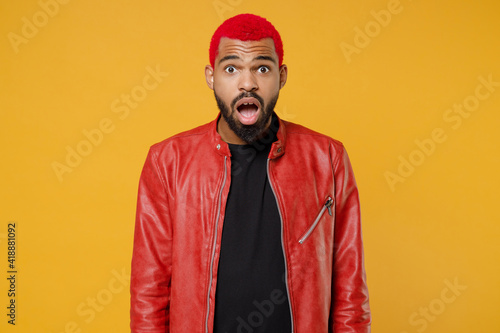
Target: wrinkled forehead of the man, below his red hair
264, 47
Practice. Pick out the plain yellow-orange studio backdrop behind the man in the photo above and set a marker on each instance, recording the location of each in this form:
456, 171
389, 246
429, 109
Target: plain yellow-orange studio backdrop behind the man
74, 235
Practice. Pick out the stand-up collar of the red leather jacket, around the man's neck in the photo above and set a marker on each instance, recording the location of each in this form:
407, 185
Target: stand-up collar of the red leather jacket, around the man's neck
221, 147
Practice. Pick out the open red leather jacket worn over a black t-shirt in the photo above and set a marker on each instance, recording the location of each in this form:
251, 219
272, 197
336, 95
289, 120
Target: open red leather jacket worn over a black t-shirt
180, 212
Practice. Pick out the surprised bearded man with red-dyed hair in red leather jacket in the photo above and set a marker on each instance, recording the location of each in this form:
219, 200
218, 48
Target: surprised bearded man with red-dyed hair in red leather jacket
248, 223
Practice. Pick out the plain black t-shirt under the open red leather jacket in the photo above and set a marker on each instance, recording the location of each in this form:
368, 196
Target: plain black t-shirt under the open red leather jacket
251, 295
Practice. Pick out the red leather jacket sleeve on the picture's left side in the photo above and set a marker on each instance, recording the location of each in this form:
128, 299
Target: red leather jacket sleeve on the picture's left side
151, 258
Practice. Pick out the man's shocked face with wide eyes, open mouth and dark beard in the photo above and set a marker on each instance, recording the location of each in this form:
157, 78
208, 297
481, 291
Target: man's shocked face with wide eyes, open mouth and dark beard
246, 81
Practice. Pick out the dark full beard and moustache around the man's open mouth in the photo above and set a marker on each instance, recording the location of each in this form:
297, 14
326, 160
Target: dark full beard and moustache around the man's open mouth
247, 133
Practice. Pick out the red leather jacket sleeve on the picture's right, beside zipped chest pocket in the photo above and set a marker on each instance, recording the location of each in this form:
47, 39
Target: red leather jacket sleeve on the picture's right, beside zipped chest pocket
350, 310
